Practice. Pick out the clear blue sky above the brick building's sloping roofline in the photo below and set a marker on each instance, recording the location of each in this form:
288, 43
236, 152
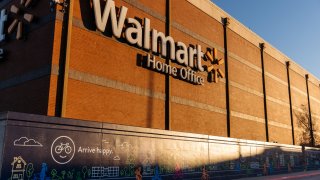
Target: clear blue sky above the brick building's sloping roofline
291, 26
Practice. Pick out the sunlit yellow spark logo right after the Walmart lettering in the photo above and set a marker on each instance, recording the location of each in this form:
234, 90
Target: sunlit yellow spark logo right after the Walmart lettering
214, 71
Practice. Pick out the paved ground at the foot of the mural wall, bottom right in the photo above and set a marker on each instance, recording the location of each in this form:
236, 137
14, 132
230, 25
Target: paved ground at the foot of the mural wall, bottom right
308, 175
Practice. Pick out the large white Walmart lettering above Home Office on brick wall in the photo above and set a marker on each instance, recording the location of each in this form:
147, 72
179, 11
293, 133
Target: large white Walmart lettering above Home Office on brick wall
136, 35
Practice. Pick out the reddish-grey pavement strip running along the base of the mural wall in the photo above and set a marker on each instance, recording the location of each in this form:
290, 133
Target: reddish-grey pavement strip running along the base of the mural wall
297, 175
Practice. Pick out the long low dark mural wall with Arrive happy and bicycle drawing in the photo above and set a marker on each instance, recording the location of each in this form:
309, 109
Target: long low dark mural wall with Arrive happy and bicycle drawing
69, 149
